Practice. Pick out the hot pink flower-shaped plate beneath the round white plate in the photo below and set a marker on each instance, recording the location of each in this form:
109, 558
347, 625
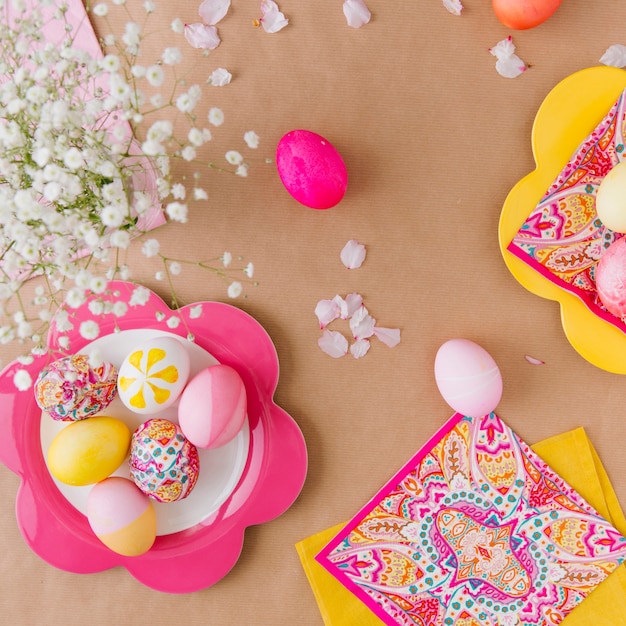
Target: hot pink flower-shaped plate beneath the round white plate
201, 555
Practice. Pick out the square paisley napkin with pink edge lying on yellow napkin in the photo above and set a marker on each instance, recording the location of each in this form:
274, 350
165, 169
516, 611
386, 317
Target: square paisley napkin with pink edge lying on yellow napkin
476, 530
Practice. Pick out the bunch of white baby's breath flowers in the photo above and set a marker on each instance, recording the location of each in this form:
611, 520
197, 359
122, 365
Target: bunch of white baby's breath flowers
84, 169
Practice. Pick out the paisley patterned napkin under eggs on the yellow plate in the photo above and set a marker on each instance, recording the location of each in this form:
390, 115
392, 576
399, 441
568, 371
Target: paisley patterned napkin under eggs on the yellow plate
562, 238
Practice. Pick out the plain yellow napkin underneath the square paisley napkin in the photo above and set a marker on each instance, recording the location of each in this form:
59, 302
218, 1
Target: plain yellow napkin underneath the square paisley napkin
570, 455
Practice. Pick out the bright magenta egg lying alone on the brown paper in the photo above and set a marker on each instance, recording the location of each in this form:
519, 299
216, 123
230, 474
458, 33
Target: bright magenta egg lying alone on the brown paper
311, 169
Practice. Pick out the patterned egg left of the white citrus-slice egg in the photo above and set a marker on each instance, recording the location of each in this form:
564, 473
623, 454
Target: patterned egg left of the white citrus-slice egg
70, 389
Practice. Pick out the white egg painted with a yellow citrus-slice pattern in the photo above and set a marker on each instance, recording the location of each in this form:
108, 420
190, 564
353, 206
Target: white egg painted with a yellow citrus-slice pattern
153, 375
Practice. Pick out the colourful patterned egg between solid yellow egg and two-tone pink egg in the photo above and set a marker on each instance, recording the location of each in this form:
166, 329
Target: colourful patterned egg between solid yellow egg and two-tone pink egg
163, 463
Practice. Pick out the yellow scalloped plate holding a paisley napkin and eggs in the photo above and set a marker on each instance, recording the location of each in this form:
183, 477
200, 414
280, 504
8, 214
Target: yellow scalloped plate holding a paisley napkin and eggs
567, 115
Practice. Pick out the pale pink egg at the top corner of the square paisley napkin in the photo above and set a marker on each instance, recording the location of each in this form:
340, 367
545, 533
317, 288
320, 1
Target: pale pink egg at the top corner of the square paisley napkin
468, 378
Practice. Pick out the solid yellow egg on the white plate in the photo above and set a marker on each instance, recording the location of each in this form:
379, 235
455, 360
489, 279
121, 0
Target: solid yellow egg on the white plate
88, 451
